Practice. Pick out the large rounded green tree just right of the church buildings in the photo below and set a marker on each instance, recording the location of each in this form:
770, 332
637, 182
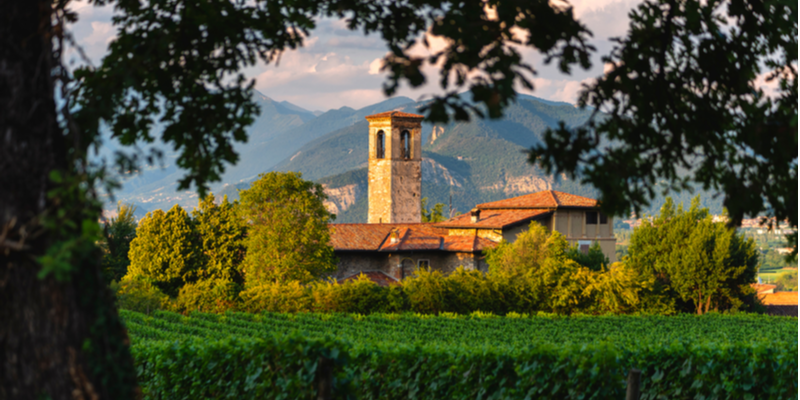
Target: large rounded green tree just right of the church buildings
700, 264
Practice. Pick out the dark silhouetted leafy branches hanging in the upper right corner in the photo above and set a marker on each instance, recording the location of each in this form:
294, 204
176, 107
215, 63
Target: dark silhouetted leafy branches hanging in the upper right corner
679, 107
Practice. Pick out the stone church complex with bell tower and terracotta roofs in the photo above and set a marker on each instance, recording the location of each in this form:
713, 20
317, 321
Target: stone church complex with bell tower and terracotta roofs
395, 243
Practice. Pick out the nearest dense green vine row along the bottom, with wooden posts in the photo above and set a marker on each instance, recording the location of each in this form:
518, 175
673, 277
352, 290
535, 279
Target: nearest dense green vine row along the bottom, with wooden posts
286, 367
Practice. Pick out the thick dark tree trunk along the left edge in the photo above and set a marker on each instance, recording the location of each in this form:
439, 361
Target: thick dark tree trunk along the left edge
58, 339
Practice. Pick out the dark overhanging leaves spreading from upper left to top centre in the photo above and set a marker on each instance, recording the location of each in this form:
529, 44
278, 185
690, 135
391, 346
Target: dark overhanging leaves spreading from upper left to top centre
178, 63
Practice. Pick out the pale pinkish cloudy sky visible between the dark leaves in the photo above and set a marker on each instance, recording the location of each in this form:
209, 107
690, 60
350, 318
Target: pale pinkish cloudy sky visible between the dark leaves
338, 67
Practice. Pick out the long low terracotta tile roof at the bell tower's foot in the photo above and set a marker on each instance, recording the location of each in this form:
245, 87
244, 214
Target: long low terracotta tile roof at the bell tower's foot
410, 237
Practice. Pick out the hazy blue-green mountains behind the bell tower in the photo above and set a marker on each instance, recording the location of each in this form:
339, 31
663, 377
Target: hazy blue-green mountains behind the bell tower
464, 163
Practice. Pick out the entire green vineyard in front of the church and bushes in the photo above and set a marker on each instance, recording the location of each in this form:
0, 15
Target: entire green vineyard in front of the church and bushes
239, 355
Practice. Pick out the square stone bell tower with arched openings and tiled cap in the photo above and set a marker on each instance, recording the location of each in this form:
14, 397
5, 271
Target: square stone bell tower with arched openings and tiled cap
395, 177
